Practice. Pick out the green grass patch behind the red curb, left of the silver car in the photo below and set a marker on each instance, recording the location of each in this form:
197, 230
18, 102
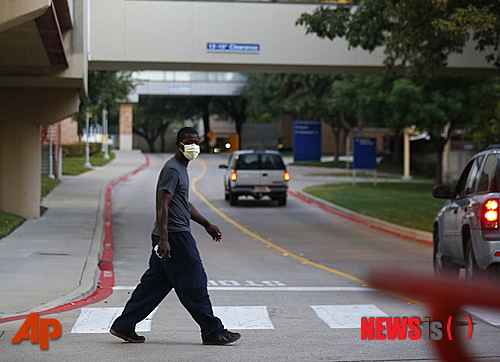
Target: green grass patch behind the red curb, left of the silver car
407, 204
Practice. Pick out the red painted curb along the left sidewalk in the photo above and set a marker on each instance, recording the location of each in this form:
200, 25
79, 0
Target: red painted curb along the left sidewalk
107, 278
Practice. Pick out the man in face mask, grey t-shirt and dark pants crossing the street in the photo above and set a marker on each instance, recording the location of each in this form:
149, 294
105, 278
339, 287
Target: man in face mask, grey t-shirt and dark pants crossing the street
175, 261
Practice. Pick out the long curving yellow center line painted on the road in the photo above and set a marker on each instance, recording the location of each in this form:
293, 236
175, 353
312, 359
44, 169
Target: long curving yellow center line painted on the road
284, 251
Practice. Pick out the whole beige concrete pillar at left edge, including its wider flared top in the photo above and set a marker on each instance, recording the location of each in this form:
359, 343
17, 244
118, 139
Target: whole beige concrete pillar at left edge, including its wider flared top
22, 110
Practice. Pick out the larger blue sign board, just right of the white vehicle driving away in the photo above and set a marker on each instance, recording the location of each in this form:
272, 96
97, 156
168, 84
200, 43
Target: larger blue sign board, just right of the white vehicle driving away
306, 140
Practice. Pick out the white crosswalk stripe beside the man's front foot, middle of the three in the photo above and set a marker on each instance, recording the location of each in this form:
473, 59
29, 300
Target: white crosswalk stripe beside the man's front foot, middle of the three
244, 317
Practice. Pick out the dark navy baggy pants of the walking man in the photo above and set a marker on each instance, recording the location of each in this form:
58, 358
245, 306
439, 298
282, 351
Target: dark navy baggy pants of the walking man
184, 273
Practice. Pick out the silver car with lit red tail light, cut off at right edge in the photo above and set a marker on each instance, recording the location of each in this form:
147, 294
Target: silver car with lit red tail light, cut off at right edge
466, 229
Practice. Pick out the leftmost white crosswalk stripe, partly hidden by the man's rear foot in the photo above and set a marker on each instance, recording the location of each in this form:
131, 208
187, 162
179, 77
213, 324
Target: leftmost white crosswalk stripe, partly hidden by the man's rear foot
99, 320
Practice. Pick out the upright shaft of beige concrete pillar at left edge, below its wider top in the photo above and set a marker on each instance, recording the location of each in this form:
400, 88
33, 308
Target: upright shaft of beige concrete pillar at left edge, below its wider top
20, 169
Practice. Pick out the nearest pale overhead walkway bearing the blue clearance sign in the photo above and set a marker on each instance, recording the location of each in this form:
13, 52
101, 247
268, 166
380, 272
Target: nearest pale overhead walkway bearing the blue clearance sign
227, 37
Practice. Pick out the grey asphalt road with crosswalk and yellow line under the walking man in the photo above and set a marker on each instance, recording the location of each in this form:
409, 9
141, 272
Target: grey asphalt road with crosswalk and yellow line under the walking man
290, 279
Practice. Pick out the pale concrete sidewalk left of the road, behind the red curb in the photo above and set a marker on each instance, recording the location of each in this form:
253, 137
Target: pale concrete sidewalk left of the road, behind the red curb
53, 260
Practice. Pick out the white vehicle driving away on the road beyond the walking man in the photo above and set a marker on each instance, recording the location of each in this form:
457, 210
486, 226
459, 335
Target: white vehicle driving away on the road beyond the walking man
257, 174
